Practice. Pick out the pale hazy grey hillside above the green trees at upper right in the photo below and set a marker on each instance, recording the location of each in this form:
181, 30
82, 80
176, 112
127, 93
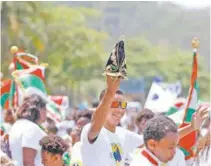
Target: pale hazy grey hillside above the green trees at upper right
158, 22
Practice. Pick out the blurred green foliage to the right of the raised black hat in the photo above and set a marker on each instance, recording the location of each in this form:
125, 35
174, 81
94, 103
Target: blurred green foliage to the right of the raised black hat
146, 60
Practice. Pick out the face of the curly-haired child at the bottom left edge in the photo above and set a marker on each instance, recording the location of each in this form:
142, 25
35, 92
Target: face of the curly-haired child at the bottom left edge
49, 159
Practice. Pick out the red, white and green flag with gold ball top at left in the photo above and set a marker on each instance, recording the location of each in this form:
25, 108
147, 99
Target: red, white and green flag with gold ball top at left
30, 78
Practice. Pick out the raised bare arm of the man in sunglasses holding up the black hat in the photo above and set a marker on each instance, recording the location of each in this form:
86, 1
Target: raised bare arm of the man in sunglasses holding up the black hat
101, 113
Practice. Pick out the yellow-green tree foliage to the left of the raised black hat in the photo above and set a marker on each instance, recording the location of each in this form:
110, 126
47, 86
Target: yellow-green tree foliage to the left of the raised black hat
59, 36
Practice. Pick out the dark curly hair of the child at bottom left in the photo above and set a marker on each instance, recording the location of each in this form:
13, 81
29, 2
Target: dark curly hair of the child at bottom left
54, 144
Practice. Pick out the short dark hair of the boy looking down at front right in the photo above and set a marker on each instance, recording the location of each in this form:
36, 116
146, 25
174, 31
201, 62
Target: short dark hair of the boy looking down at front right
158, 127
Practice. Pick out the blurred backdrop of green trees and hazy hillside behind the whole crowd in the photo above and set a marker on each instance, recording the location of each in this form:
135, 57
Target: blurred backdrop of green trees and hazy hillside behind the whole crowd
71, 39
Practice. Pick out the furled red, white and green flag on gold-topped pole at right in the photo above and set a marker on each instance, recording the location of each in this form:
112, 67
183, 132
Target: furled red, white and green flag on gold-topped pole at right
188, 142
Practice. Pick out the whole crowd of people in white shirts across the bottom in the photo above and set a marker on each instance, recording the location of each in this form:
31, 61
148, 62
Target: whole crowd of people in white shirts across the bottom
99, 136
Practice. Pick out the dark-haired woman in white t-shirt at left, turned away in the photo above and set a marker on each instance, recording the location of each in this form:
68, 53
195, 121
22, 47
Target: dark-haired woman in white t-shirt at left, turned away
25, 134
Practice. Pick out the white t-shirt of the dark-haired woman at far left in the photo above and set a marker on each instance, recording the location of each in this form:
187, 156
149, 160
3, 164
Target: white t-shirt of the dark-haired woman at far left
25, 133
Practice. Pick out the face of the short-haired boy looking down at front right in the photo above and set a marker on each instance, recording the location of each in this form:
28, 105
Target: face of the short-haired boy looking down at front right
164, 149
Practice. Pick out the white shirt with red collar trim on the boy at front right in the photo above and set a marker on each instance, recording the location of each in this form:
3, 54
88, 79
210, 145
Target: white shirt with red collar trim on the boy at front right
139, 159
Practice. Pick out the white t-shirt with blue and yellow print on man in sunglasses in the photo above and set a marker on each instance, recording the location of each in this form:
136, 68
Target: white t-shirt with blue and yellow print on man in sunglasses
109, 149
